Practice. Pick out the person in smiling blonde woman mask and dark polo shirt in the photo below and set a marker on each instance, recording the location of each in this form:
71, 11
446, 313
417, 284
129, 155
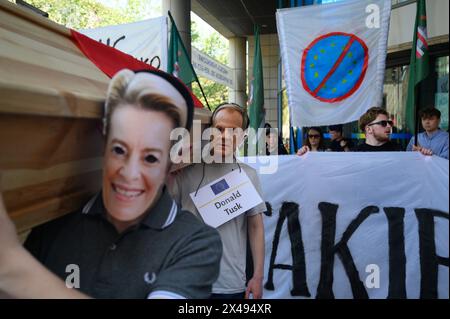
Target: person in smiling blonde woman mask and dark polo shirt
131, 240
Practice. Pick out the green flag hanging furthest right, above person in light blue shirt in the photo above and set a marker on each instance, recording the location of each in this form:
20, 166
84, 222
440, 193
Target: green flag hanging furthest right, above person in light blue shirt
419, 67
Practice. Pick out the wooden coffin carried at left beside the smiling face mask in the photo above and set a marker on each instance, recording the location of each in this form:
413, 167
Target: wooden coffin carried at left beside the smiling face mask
50, 109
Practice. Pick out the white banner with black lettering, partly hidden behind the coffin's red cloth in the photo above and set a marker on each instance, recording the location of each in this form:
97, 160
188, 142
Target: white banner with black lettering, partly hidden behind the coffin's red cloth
145, 40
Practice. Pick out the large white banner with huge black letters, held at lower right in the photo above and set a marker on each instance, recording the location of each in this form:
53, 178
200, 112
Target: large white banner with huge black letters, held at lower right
382, 215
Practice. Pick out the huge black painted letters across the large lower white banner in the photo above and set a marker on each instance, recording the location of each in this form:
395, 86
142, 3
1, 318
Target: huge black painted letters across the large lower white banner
429, 260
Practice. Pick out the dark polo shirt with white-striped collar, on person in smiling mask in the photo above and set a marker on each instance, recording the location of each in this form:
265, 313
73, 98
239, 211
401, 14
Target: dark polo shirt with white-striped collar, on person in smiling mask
169, 254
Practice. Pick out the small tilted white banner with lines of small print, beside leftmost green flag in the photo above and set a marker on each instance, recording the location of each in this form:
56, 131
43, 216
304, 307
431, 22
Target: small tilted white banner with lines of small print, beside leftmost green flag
211, 69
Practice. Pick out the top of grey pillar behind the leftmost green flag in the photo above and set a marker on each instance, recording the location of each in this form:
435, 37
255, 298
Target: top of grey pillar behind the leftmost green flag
181, 13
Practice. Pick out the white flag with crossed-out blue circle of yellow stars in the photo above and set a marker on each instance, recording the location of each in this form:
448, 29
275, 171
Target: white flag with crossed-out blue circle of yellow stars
334, 59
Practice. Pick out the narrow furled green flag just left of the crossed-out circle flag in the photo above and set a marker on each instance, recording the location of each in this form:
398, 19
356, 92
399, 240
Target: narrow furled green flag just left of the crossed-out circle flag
256, 94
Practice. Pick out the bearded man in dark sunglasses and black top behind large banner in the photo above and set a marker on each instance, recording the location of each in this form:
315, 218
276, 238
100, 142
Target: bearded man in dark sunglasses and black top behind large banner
377, 127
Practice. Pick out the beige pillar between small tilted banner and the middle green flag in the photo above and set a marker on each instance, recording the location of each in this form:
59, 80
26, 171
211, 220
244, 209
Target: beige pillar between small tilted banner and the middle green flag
238, 63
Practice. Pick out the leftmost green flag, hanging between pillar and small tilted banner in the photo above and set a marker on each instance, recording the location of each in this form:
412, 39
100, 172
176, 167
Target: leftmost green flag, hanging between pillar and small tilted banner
179, 63
